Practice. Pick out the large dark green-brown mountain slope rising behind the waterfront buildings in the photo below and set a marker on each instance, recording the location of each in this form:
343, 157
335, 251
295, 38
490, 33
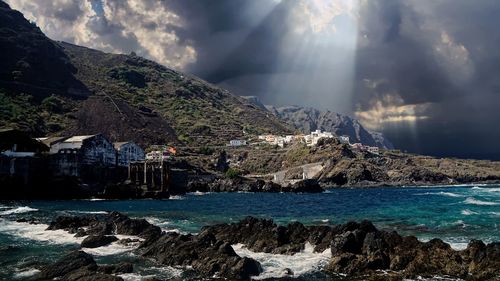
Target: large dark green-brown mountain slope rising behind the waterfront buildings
56, 88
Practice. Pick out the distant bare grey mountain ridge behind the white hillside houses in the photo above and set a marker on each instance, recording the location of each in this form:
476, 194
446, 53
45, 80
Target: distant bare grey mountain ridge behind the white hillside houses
307, 119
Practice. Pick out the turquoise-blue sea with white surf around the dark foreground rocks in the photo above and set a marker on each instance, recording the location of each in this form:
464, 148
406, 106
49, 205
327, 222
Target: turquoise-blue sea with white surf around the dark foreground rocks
455, 214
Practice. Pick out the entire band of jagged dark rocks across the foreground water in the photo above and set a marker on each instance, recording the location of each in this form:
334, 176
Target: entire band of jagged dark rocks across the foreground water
357, 250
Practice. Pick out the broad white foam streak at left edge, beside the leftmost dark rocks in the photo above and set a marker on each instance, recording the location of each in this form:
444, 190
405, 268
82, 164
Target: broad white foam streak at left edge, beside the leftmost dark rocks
38, 232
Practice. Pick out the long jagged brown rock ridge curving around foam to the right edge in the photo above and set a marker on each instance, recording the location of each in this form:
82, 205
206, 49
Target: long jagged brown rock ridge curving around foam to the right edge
359, 249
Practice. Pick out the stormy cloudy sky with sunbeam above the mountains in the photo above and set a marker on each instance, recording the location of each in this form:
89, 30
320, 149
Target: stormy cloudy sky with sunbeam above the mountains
426, 73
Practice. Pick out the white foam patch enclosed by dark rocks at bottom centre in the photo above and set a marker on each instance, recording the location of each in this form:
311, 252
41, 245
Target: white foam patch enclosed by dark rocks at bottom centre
274, 266
